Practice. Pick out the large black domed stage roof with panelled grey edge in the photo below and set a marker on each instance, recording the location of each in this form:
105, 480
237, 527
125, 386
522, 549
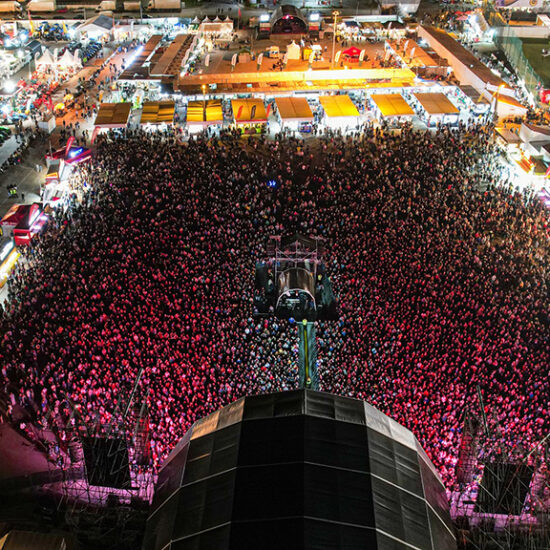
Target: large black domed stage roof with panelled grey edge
301, 470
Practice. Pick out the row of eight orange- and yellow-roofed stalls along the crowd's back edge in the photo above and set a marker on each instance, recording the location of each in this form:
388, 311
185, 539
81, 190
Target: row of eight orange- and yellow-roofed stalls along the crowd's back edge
291, 111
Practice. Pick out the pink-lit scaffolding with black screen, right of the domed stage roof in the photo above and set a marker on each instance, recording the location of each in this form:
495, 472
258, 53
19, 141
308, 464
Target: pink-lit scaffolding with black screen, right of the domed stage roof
502, 497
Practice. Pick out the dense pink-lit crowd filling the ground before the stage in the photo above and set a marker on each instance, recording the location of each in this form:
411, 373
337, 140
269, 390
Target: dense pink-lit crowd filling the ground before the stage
440, 269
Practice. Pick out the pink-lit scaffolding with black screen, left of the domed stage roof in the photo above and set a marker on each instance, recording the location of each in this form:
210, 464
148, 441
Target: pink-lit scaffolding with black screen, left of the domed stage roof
102, 473
